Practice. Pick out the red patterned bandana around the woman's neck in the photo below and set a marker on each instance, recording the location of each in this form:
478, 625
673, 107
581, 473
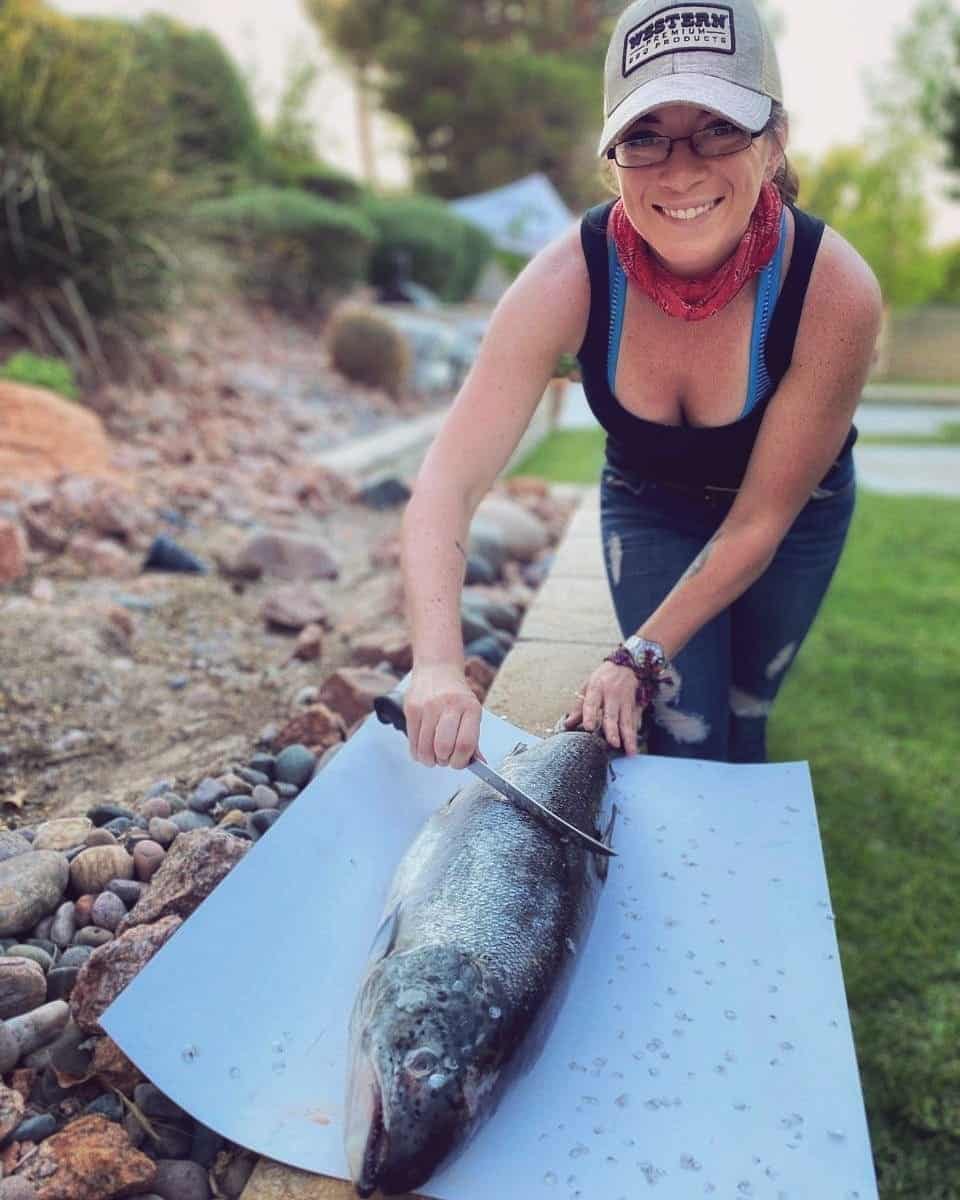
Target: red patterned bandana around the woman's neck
699, 299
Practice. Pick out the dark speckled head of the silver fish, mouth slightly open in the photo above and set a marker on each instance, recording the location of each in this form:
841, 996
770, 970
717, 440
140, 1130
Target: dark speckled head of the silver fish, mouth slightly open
430, 1040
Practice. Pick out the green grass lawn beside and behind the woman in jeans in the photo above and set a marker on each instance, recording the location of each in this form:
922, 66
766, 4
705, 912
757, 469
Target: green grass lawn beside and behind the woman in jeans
874, 706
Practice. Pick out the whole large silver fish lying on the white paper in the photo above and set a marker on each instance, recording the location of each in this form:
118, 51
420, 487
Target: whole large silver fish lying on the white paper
484, 922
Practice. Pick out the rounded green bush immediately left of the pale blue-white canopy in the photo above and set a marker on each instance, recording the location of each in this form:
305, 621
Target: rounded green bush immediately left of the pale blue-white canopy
436, 247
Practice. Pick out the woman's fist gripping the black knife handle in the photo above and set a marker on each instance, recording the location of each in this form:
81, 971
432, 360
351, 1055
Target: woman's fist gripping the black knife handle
443, 717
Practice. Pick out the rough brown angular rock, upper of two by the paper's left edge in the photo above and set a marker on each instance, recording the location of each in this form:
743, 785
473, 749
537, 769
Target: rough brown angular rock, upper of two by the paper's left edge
194, 867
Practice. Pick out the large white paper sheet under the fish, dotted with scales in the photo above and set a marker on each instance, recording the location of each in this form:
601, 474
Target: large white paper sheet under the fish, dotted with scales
705, 1047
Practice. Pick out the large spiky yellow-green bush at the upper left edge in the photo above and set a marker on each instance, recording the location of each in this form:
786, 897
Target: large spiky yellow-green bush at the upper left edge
87, 203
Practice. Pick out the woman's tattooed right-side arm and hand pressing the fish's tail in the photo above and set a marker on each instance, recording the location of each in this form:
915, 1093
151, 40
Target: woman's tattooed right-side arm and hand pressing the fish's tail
801, 435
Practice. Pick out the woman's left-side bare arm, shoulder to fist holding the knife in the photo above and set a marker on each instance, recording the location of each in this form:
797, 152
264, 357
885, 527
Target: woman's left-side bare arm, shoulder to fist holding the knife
542, 316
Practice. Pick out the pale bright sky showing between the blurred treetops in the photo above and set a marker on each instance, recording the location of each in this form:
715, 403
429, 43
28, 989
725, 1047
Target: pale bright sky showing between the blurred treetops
825, 50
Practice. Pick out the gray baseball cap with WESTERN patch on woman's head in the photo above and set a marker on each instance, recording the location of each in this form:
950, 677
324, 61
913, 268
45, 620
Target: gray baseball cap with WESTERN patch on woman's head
715, 56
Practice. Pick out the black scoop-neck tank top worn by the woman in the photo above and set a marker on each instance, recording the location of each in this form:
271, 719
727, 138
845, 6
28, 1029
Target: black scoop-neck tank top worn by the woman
687, 455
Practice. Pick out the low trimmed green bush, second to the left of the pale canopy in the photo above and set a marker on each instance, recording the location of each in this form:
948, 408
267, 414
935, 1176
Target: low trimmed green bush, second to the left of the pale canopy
297, 251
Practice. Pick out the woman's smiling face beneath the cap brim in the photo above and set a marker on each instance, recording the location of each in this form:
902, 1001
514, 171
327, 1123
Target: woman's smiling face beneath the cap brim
693, 212
